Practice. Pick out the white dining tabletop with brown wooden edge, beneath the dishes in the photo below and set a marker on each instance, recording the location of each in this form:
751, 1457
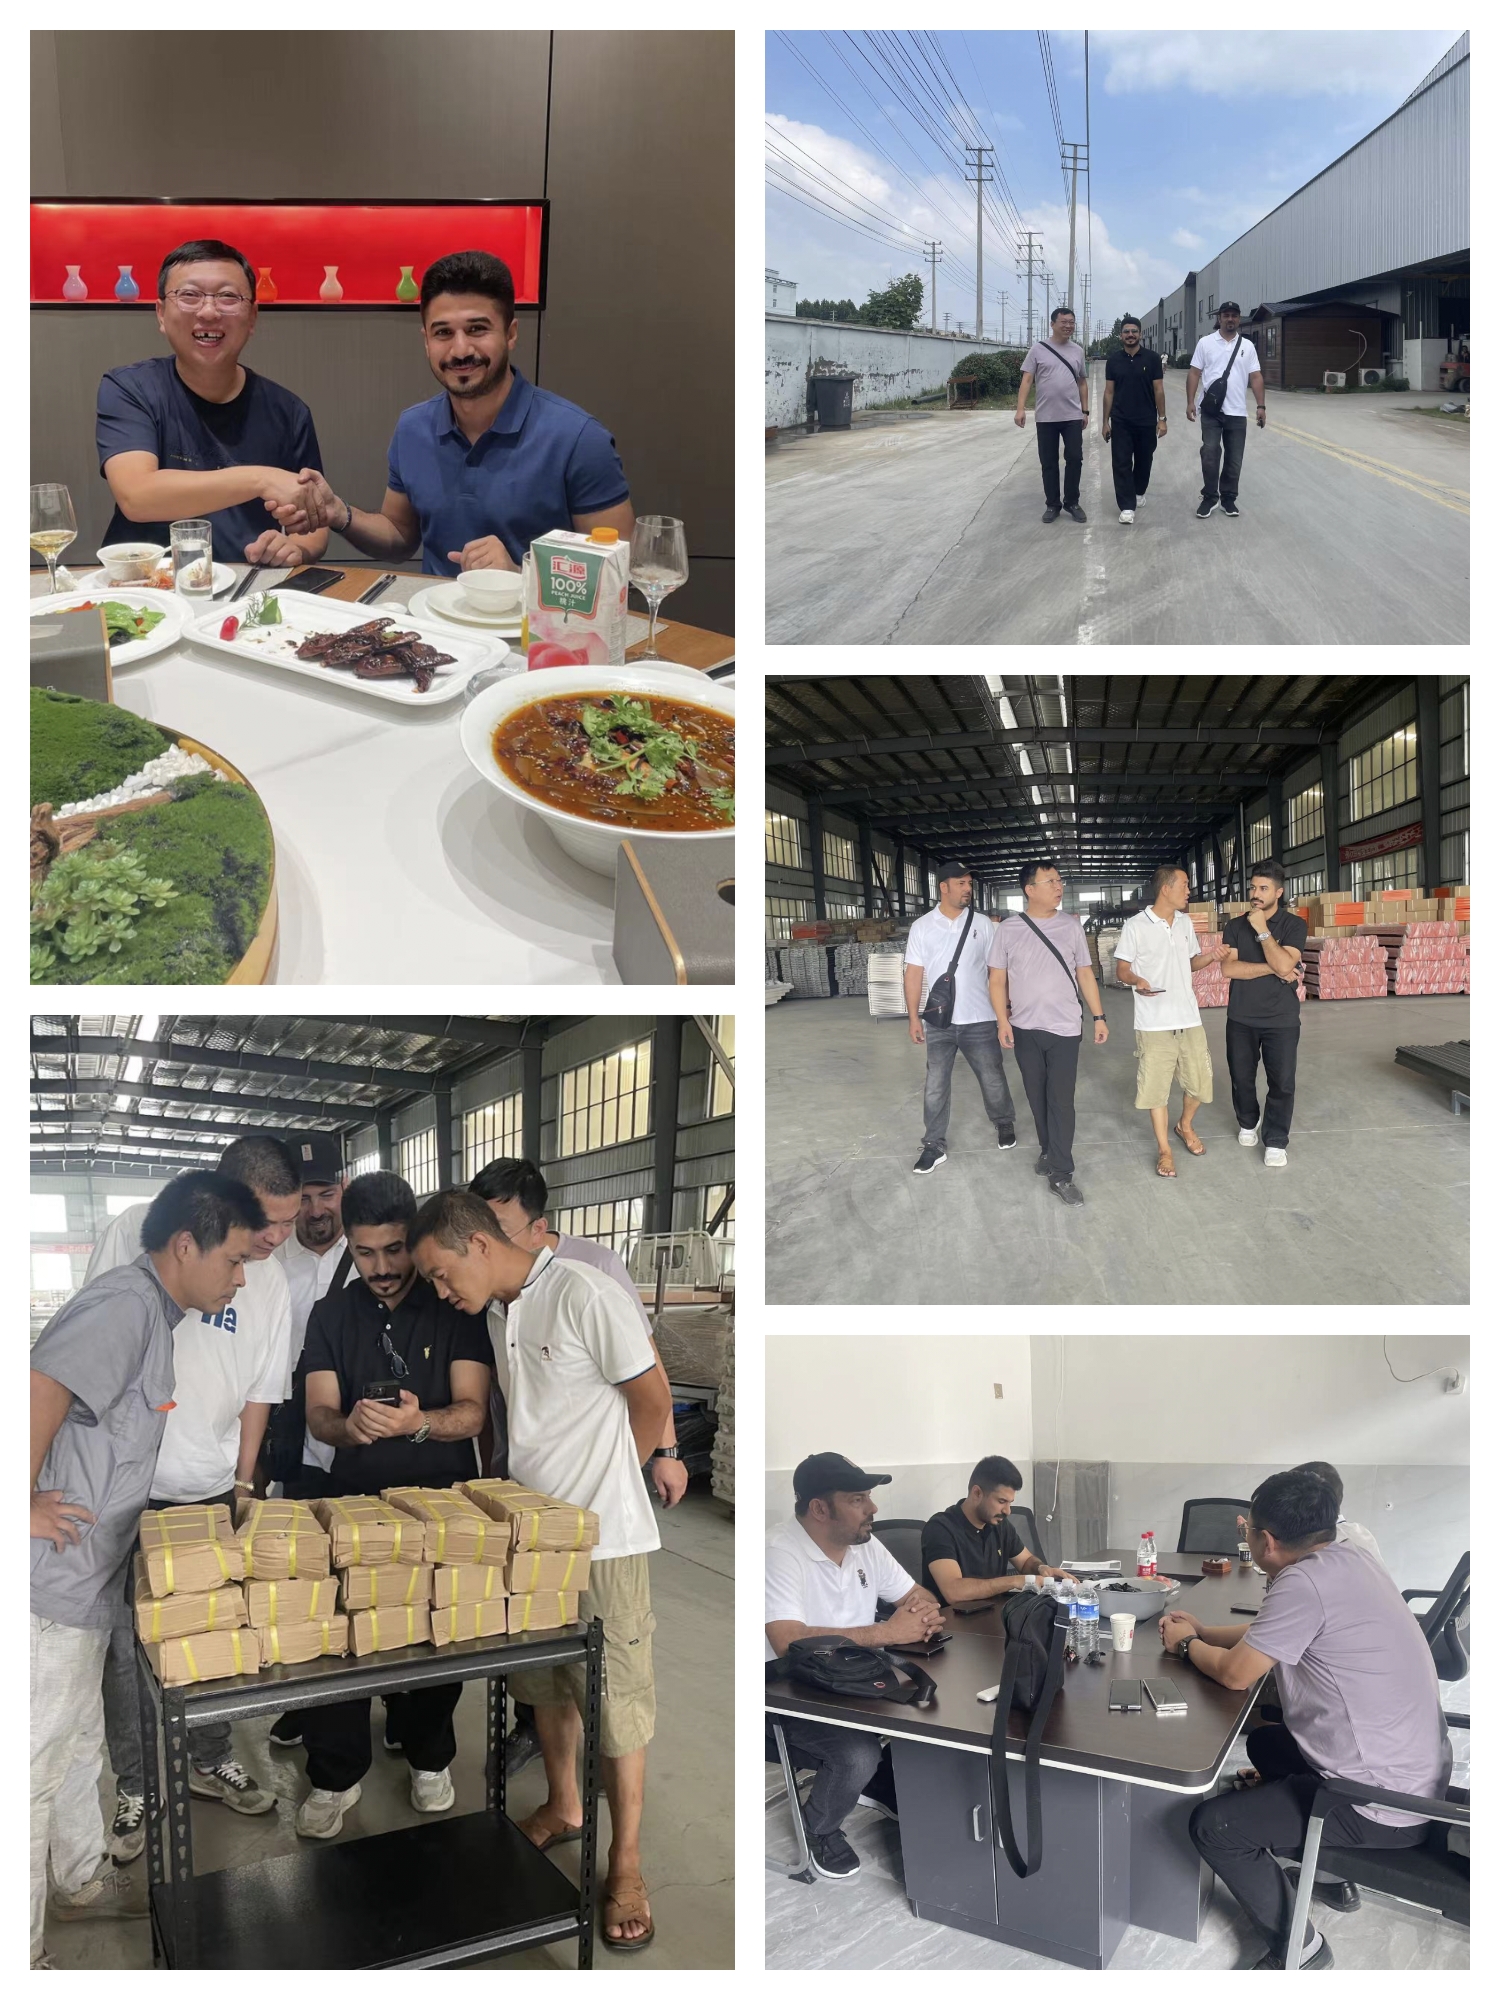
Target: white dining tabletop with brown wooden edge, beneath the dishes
395, 861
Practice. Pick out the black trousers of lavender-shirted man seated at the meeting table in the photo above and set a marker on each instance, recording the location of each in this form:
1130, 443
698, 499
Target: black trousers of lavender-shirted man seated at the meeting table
1243, 1833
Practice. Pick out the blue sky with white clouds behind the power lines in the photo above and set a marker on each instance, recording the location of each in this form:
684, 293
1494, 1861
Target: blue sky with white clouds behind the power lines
1195, 137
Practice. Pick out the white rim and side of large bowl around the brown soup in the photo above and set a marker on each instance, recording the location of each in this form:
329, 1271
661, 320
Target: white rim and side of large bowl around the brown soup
589, 843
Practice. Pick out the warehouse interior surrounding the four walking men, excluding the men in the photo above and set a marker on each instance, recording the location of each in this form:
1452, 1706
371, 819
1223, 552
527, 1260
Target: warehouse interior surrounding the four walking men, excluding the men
1357, 785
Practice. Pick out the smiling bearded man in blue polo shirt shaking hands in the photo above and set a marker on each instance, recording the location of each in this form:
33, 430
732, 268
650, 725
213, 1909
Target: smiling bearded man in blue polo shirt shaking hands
481, 471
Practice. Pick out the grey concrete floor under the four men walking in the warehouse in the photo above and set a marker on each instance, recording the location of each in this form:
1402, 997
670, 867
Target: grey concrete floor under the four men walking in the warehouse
1373, 1207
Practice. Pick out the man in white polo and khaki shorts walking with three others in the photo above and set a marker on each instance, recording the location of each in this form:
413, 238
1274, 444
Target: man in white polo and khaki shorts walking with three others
1157, 957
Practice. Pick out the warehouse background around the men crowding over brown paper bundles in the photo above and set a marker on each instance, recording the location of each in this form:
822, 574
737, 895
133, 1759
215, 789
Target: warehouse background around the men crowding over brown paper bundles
633, 1125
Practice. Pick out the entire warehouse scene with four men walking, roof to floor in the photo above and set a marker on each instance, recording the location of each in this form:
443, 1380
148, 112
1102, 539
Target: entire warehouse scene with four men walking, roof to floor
1209, 1005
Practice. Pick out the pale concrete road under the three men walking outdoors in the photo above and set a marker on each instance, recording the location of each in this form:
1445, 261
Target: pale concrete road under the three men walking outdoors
929, 533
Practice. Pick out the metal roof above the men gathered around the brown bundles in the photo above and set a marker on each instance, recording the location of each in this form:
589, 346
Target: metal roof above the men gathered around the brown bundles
129, 1093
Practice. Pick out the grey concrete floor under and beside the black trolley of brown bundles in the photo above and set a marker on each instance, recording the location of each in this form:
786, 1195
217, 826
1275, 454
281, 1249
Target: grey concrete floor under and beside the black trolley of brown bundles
689, 1833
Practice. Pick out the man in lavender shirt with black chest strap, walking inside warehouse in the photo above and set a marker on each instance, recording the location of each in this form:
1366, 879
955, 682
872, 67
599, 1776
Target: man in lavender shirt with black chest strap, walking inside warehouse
1041, 987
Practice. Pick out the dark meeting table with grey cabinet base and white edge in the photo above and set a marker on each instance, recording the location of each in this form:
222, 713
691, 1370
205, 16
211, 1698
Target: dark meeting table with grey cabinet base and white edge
1117, 1789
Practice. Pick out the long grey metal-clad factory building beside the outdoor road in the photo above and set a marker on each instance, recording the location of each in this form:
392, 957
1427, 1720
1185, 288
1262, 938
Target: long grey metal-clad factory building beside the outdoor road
1363, 271
